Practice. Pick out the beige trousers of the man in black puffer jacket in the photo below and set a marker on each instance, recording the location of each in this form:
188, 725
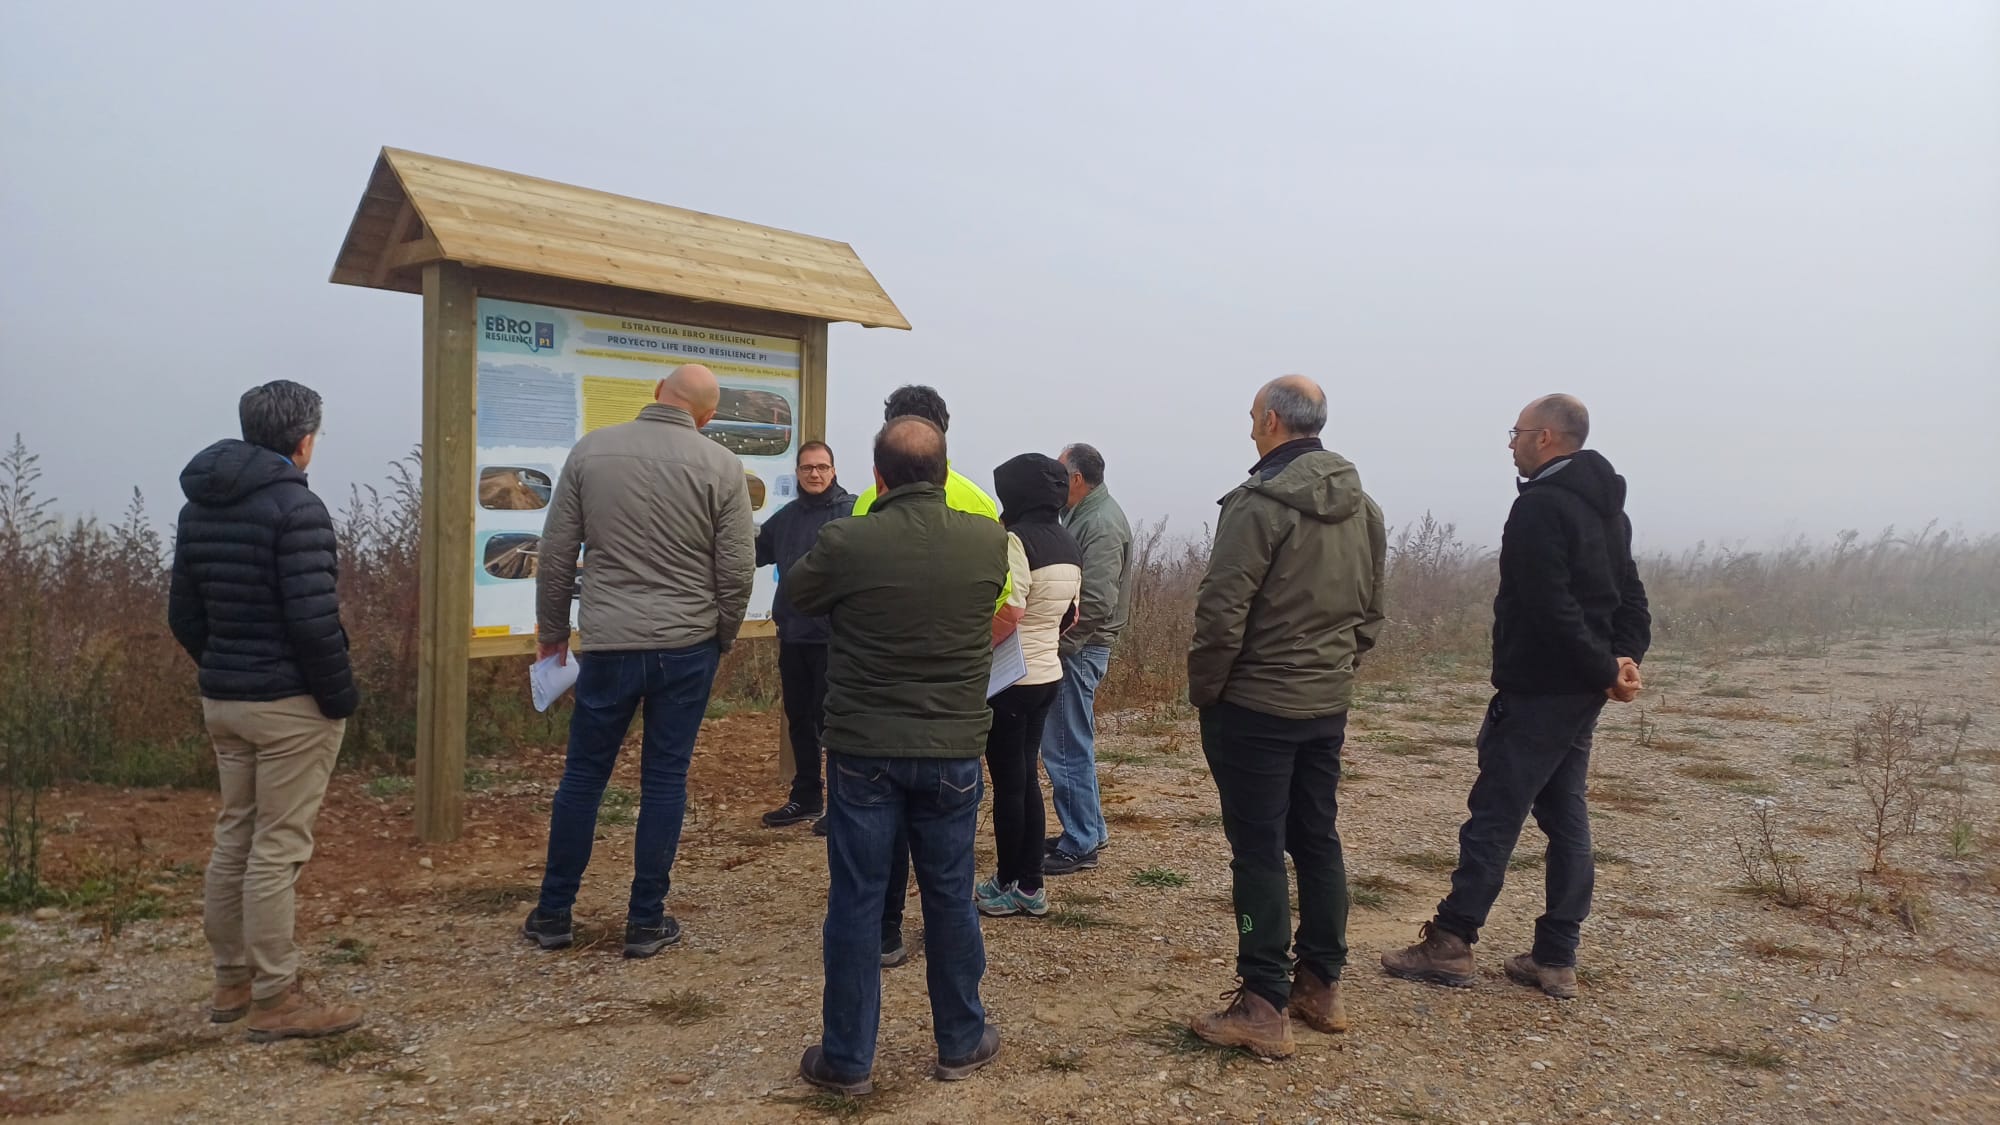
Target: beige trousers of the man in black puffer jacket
275, 760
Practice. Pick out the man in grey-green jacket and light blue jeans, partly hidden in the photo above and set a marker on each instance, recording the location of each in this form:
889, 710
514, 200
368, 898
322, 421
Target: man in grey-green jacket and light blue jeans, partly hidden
1069, 740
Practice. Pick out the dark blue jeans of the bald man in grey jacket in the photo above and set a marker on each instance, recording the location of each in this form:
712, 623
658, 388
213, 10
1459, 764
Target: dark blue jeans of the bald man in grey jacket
673, 684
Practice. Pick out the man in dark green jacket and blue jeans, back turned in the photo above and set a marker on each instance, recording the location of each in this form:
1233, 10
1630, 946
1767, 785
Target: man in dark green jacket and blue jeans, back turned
909, 596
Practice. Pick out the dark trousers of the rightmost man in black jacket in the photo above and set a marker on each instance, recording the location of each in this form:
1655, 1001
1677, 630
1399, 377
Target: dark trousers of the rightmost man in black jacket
1535, 758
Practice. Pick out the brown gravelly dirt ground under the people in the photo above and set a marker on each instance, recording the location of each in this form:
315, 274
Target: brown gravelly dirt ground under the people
1701, 1002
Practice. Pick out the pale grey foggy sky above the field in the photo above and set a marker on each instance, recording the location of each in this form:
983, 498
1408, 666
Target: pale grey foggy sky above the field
1761, 241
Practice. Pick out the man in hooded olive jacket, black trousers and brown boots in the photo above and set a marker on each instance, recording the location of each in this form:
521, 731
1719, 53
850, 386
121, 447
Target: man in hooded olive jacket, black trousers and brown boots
1291, 604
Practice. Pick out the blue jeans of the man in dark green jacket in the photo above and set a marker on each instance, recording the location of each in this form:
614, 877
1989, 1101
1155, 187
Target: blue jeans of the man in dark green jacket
873, 806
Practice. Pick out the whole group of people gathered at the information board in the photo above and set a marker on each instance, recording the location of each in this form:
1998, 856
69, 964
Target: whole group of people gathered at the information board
891, 608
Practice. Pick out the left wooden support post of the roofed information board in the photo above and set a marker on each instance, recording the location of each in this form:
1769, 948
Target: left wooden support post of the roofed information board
445, 576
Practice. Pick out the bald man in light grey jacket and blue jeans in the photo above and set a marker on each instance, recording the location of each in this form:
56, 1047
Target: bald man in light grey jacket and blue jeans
665, 517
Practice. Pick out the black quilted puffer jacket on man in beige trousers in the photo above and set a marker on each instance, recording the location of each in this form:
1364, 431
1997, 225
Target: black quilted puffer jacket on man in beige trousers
255, 582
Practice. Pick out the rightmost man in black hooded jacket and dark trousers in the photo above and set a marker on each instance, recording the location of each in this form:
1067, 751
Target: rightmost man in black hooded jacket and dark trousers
1571, 628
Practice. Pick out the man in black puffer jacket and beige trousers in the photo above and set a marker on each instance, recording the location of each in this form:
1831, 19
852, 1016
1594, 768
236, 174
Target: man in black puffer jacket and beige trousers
255, 604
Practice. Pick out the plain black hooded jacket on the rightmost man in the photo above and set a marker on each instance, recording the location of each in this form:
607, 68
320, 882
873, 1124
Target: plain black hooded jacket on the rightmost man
1571, 602
